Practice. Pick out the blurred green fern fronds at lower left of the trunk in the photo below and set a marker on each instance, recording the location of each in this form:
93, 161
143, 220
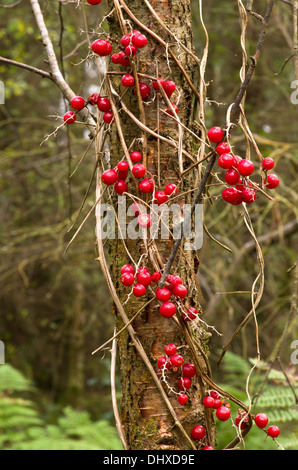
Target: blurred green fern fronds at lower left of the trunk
23, 428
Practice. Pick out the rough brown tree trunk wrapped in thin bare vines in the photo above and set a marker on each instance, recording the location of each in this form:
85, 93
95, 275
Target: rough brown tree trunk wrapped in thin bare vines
145, 416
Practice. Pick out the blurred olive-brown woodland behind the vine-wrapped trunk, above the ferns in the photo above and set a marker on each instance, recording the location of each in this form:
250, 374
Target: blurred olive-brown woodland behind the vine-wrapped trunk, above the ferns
54, 307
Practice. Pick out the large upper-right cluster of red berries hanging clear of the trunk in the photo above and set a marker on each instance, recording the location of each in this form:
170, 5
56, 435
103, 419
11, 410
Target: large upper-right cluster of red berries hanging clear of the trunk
238, 171
